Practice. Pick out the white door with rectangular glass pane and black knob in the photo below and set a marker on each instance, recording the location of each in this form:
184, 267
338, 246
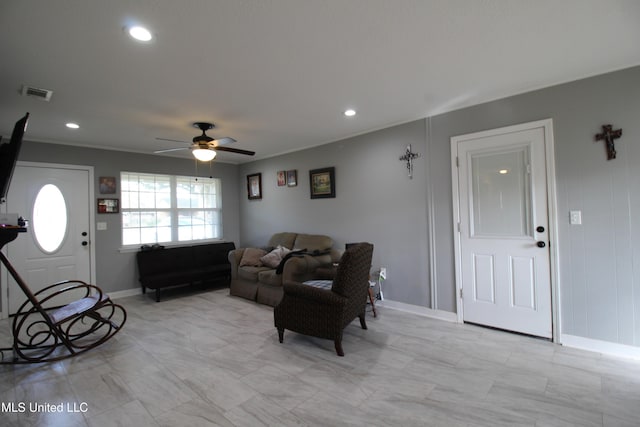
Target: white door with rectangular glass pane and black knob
502, 245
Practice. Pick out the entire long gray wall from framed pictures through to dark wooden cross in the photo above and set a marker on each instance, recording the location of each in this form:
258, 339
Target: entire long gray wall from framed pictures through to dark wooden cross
599, 279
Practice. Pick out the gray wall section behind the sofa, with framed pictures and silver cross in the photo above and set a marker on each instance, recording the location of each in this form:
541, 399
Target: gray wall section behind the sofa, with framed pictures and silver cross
375, 201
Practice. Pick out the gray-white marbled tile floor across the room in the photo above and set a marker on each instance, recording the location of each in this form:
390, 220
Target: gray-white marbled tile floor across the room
208, 359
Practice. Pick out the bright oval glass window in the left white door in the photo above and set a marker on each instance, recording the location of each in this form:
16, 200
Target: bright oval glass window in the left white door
49, 218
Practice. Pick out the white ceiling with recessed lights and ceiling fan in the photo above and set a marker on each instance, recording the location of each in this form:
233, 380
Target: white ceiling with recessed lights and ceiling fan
277, 74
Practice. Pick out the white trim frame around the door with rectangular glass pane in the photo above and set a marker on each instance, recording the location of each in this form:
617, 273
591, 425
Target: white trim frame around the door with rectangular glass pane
547, 125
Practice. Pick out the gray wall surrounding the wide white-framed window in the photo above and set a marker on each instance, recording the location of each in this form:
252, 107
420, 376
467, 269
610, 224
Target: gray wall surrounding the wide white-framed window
115, 270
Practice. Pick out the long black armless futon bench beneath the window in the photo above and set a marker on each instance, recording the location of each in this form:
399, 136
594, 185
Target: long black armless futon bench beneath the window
183, 265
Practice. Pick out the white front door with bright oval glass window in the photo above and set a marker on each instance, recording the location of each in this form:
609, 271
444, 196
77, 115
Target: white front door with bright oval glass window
56, 247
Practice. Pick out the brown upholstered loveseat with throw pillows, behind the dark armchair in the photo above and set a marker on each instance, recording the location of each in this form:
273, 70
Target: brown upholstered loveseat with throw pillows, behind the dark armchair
262, 282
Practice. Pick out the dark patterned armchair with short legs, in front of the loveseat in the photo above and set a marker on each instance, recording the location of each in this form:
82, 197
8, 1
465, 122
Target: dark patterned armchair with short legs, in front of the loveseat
324, 313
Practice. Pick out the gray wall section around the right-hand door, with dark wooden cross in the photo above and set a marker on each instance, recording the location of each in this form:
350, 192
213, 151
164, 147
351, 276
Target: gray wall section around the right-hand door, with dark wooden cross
599, 279
